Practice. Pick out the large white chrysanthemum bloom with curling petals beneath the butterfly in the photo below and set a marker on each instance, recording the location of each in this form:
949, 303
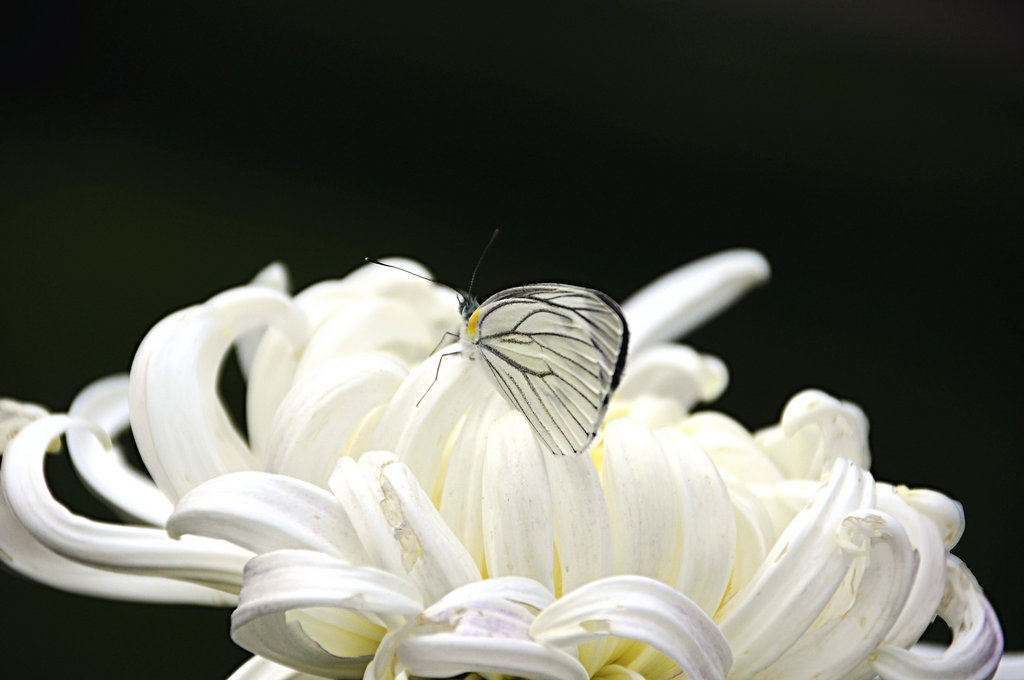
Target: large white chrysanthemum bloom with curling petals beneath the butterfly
390, 518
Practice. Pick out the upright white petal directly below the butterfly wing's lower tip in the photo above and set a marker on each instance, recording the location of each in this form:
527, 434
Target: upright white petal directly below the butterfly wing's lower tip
583, 527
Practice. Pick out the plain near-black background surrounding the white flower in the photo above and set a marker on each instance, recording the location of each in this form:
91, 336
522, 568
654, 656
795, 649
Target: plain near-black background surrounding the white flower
152, 157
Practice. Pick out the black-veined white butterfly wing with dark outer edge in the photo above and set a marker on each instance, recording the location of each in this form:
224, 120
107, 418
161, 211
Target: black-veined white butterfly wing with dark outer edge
558, 354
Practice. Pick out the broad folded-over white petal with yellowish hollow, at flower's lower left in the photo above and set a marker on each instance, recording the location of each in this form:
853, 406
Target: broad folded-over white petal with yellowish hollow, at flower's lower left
281, 583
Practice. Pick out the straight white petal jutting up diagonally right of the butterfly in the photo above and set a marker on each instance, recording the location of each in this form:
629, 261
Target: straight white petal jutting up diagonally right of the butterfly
681, 301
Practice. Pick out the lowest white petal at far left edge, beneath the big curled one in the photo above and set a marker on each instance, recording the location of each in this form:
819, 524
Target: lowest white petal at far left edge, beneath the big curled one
23, 554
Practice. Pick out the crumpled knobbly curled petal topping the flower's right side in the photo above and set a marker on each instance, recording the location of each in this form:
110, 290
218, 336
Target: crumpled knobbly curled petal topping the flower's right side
817, 430
